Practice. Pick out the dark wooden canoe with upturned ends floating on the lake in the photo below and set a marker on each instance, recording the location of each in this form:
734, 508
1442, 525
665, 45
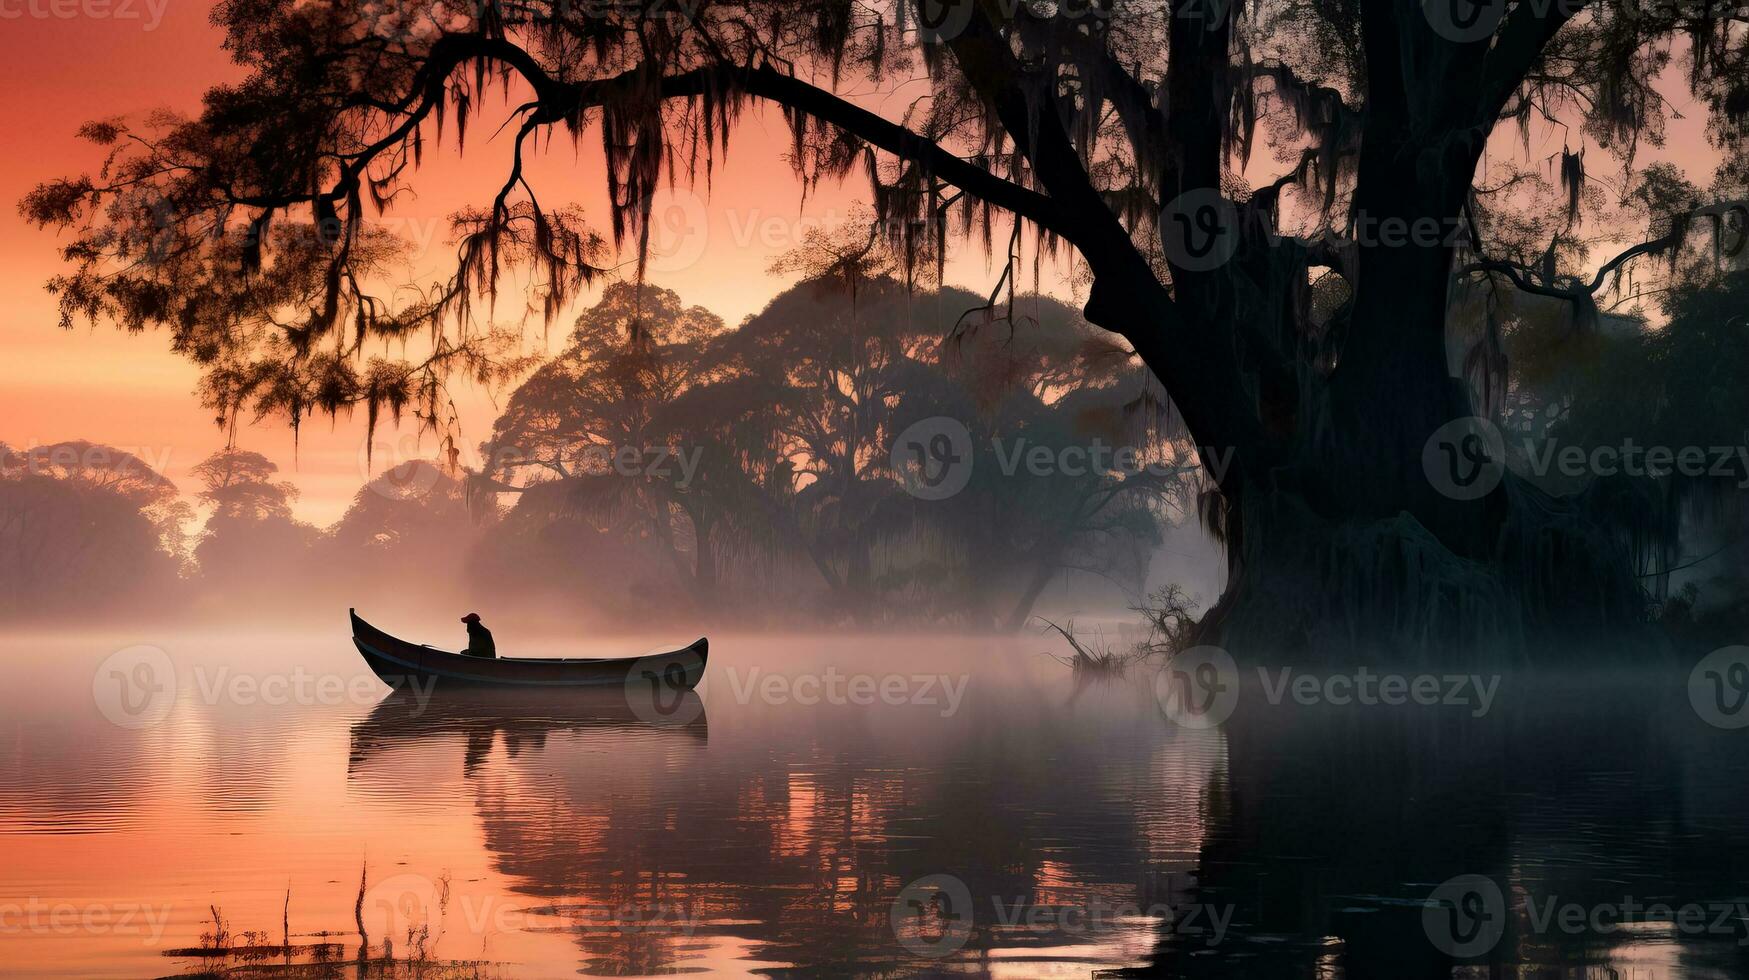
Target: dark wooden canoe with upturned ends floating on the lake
400, 662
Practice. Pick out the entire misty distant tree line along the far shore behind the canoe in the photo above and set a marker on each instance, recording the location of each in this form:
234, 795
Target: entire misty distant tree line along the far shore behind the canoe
667, 461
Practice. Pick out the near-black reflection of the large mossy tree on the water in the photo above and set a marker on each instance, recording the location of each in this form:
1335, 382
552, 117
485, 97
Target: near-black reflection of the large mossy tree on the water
1370, 843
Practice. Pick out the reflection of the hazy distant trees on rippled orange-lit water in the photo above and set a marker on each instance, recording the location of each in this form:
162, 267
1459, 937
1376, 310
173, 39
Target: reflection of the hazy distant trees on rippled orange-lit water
786, 839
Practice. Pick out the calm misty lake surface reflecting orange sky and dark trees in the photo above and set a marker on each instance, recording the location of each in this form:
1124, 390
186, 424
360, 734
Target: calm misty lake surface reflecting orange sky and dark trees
882, 806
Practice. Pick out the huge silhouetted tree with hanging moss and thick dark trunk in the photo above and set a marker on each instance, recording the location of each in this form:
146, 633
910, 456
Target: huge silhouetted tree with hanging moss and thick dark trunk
1117, 132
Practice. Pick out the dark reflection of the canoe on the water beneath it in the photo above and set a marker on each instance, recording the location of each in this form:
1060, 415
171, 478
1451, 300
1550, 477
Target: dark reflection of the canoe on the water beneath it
524, 720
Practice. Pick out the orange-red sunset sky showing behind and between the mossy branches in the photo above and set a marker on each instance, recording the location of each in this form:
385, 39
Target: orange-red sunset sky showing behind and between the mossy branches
129, 391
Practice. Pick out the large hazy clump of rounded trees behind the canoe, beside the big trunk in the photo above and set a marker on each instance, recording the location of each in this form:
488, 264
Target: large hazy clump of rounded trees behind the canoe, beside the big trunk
772, 458
